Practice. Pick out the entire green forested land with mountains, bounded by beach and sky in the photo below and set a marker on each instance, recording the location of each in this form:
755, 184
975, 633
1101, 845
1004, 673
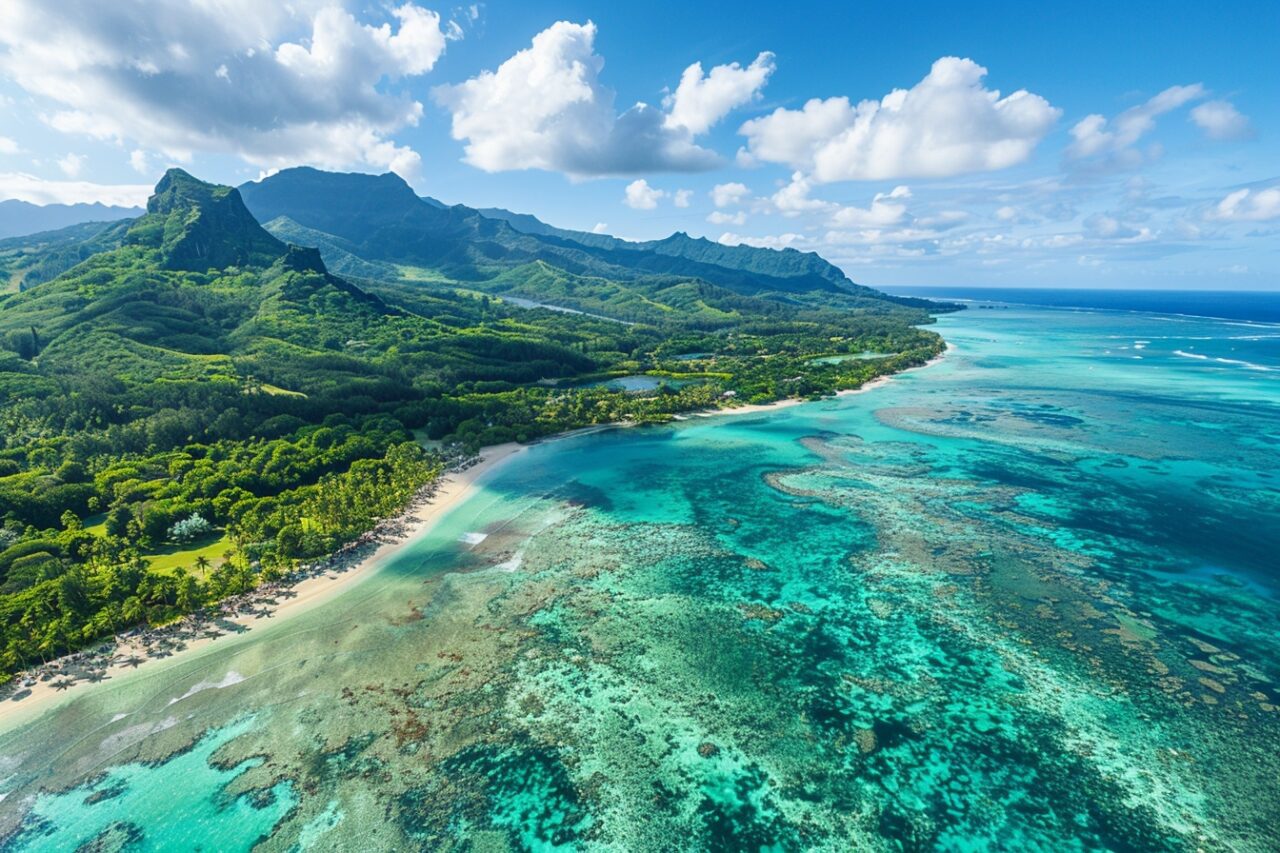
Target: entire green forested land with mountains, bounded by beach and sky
191, 405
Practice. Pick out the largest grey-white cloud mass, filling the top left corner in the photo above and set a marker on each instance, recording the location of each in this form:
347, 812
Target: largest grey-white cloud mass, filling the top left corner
273, 84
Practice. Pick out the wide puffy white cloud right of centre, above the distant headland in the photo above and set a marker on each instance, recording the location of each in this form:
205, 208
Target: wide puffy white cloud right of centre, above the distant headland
944, 126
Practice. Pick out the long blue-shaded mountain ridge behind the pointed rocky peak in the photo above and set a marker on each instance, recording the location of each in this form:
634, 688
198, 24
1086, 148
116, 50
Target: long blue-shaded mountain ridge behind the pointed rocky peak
381, 220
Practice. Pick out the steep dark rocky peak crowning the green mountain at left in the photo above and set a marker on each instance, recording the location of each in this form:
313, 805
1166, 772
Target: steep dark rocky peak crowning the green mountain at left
200, 226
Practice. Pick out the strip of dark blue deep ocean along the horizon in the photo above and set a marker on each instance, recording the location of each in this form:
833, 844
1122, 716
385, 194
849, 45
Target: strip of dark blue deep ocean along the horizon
1232, 305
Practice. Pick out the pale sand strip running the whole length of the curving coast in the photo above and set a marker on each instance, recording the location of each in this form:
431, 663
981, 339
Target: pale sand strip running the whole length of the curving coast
312, 592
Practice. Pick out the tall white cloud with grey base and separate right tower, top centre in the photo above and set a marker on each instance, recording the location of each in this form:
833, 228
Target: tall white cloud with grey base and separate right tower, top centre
546, 108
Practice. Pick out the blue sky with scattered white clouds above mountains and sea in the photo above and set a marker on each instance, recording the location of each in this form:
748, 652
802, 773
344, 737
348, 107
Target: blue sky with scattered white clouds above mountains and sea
1127, 145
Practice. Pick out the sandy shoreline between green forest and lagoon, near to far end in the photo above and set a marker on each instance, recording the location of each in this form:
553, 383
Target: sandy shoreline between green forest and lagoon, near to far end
280, 603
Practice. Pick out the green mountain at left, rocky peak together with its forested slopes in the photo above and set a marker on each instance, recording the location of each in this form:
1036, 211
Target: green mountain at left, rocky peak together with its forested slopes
194, 291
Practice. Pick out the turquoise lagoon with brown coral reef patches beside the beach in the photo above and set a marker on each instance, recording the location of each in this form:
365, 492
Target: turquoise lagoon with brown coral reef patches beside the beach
1025, 599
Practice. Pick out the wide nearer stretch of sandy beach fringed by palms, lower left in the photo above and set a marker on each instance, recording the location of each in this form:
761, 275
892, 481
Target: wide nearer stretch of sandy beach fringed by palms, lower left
131, 654
